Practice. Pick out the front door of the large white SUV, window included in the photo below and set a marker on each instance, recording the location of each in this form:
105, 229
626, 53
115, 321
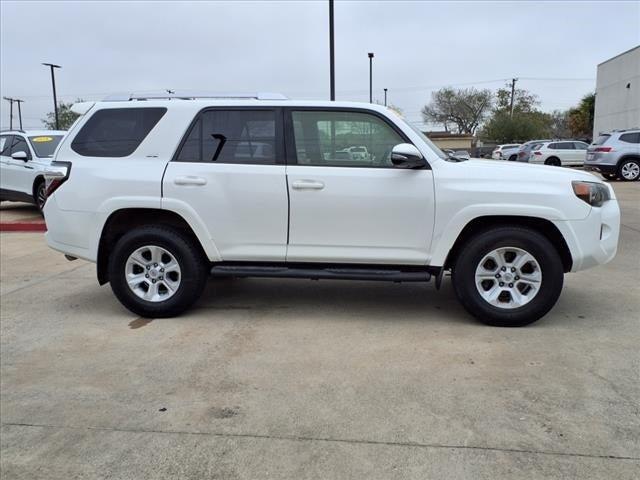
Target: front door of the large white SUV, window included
348, 202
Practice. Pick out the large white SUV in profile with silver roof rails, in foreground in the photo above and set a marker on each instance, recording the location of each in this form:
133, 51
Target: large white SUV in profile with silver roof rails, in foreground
157, 194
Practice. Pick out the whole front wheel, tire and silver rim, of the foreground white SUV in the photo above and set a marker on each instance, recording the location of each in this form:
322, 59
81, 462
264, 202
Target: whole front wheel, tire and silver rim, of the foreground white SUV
508, 276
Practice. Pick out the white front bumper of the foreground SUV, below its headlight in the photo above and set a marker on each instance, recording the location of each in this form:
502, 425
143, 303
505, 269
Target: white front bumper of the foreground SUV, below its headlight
593, 240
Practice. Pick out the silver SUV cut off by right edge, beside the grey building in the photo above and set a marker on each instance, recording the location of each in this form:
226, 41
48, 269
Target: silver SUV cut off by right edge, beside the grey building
616, 155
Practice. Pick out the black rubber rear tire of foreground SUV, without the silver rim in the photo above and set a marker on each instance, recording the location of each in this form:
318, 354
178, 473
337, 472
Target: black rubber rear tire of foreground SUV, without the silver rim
193, 270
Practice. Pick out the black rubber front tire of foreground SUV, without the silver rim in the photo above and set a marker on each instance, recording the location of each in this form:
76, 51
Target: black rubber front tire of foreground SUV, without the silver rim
552, 271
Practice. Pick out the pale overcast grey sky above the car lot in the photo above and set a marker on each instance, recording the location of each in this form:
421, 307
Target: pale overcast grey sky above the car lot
553, 48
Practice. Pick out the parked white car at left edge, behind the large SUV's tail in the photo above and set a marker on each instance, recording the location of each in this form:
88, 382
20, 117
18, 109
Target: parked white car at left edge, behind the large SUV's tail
24, 156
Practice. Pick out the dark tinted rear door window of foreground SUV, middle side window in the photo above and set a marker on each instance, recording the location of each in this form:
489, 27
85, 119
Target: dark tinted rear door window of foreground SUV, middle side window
232, 136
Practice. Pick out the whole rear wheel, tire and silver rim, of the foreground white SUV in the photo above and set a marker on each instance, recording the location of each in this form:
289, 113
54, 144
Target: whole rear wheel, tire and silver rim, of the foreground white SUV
157, 271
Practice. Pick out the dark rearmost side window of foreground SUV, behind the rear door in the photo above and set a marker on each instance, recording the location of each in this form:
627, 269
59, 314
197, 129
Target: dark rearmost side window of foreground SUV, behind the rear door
115, 132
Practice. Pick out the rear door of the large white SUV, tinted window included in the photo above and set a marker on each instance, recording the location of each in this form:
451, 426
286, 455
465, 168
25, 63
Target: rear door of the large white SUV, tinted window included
229, 171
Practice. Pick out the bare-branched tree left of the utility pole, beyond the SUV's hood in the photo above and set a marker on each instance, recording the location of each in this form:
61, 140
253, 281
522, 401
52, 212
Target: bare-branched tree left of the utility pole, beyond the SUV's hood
462, 109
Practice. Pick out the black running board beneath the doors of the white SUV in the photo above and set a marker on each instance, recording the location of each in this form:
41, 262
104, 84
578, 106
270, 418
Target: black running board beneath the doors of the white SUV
330, 273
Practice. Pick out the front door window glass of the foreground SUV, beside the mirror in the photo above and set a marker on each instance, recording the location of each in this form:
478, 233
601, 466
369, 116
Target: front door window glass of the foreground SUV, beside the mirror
343, 139
